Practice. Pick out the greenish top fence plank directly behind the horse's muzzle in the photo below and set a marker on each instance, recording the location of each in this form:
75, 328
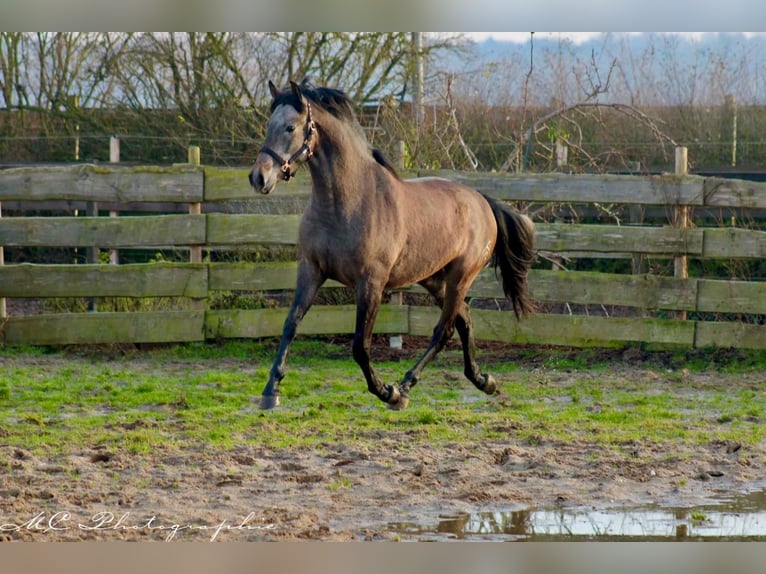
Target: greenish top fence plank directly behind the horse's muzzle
222, 184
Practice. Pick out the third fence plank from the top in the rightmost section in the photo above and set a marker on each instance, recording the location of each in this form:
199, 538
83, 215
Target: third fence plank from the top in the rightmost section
746, 297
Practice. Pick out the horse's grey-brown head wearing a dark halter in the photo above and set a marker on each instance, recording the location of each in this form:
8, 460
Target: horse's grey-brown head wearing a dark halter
290, 139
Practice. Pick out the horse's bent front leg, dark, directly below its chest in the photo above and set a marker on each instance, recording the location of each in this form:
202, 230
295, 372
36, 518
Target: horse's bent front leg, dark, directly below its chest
367, 306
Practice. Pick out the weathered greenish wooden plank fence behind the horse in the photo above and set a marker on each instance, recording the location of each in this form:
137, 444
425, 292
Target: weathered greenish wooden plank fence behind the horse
615, 309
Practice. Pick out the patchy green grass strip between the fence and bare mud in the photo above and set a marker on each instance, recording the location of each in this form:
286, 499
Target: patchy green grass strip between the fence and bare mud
203, 396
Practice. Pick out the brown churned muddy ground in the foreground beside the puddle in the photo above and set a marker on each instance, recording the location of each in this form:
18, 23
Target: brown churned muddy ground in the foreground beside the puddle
352, 493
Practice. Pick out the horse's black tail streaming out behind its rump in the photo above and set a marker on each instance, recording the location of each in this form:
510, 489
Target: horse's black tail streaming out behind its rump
514, 254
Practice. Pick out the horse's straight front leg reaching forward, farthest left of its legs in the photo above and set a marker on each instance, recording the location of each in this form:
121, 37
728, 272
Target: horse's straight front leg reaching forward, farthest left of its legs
307, 285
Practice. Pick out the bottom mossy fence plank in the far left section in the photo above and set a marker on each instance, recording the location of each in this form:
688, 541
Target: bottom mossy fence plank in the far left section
96, 328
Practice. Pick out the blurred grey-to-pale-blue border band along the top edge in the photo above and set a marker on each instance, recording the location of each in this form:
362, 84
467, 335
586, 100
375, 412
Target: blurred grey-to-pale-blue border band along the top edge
447, 15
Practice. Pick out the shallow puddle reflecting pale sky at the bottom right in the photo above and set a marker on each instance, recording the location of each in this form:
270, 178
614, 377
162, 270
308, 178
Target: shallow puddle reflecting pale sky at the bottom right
739, 518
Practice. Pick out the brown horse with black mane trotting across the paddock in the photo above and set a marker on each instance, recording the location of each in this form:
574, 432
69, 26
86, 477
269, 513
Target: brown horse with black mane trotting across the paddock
373, 231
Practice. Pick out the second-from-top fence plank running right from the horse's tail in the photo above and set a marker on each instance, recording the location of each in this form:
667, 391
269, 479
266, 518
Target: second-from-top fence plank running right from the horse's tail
613, 238
